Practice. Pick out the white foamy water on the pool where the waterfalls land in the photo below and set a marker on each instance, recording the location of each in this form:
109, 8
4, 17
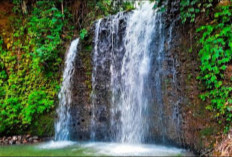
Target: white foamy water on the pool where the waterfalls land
113, 149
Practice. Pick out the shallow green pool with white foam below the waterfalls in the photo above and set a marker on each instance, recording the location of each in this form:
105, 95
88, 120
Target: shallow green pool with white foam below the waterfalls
68, 148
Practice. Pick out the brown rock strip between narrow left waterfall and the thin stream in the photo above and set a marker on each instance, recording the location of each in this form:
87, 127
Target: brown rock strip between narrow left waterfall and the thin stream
80, 107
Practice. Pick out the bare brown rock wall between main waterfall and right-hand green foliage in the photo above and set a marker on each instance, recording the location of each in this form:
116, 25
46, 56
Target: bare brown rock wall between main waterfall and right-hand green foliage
199, 128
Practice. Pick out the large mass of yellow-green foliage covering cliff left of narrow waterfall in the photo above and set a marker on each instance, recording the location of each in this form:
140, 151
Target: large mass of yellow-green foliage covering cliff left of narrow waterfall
29, 67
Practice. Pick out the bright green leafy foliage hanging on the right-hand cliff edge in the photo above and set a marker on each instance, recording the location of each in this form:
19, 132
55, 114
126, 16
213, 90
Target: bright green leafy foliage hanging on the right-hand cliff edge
215, 55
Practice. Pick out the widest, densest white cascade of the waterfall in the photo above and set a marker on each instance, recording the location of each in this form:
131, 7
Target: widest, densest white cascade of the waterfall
133, 100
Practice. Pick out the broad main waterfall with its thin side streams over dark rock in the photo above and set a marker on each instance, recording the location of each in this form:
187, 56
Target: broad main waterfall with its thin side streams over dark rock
131, 76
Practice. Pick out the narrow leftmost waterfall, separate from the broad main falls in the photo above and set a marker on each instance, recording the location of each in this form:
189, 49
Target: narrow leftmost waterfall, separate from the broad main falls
62, 131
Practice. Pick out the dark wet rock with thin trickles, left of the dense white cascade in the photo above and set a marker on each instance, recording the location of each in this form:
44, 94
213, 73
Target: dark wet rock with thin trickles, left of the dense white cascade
108, 44
